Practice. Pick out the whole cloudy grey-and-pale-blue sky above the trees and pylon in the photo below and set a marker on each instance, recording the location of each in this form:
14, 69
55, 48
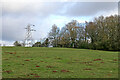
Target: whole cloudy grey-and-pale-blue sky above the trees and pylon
17, 15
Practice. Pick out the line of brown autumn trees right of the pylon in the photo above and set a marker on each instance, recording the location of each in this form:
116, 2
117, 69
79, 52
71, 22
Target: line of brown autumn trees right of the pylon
100, 34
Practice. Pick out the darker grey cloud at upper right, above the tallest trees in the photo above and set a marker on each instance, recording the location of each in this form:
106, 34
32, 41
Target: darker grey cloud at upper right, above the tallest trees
90, 8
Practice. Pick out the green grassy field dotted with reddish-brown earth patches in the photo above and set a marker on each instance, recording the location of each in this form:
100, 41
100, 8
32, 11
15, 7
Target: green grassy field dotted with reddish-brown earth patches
20, 62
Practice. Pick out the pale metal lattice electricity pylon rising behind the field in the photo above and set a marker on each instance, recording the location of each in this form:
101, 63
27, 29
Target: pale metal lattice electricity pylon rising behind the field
28, 42
